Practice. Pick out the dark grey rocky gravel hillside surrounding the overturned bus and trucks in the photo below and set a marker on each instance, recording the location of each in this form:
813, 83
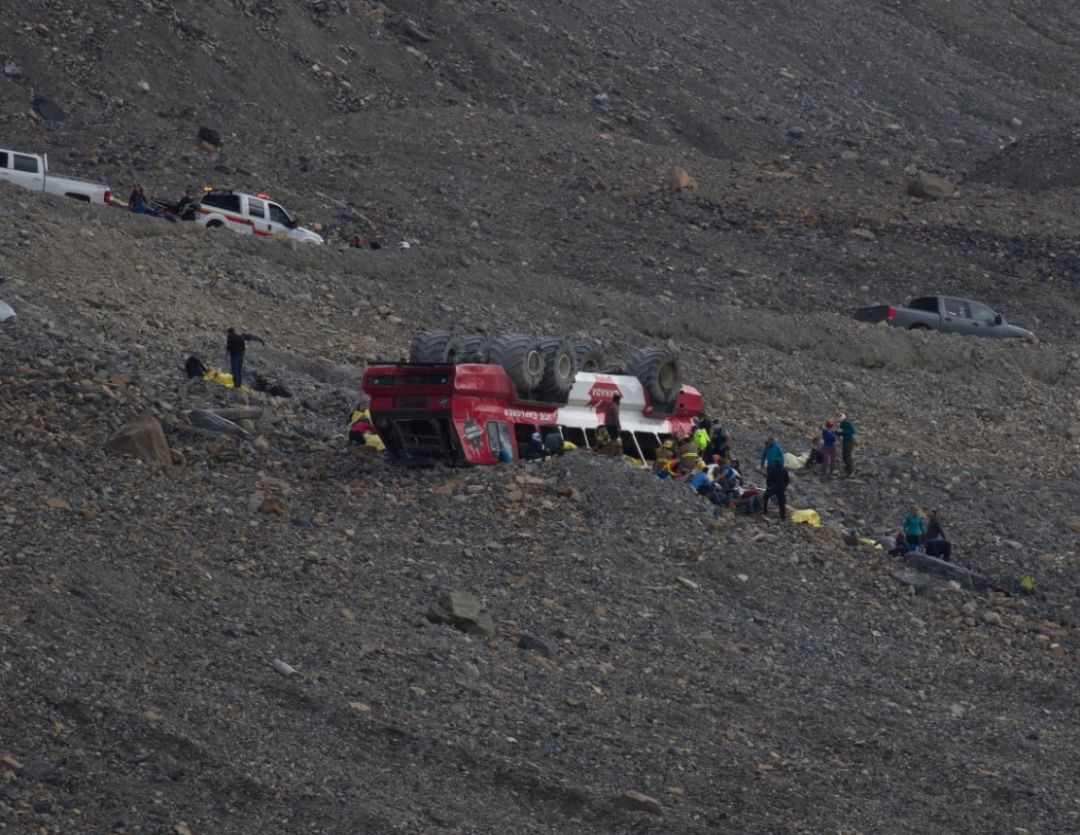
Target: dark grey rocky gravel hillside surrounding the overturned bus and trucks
738, 675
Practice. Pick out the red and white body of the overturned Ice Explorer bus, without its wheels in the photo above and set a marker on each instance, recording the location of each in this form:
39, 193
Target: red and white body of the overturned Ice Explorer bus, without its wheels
471, 413
